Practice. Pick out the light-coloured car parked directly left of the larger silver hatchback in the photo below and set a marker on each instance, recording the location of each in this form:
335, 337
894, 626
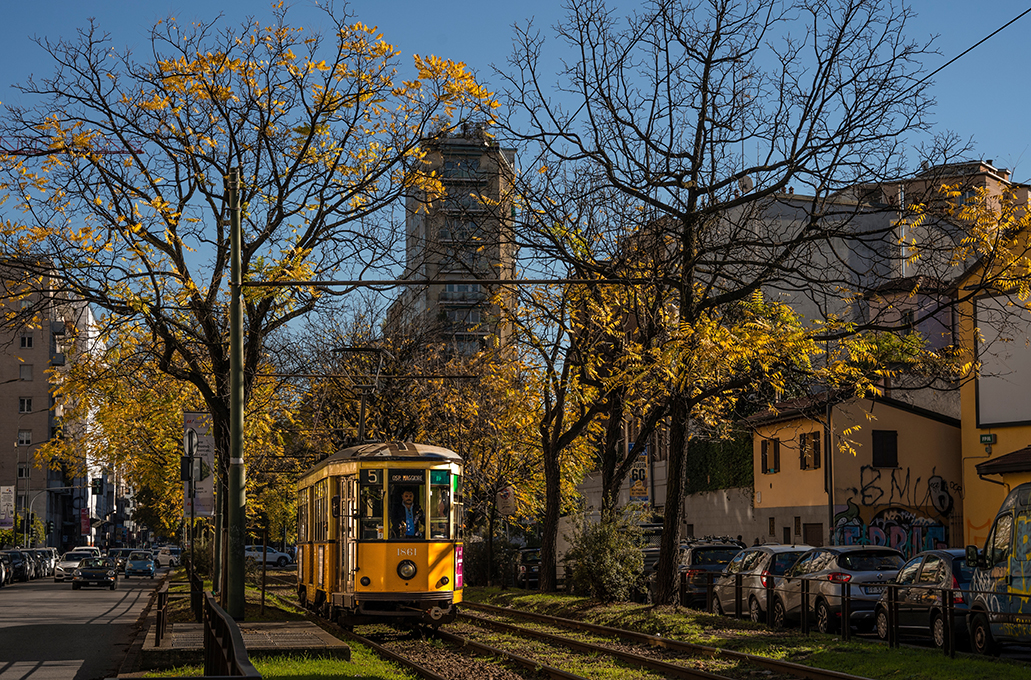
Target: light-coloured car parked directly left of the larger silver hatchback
759, 567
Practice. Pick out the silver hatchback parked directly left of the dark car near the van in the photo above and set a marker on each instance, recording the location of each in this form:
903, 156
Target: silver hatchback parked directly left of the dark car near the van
866, 568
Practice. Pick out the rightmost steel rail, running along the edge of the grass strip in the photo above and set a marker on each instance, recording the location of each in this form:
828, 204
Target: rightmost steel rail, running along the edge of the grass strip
797, 670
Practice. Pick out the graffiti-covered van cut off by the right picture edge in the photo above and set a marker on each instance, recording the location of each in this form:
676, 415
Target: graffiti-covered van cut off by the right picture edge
1000, 610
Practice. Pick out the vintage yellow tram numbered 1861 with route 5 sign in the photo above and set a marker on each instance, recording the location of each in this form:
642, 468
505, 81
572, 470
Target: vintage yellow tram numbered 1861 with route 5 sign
380, 534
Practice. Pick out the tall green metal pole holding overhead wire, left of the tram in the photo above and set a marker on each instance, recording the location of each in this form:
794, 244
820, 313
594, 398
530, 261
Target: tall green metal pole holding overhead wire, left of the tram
238, 500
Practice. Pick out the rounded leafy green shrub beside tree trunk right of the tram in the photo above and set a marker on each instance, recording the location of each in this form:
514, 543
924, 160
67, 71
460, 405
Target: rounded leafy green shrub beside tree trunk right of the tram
606, 561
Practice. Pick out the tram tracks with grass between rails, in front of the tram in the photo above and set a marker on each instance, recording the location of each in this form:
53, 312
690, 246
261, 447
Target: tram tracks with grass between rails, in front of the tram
550, 648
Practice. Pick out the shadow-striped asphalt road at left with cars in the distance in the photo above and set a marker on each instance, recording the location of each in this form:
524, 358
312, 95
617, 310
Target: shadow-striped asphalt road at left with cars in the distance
50, 632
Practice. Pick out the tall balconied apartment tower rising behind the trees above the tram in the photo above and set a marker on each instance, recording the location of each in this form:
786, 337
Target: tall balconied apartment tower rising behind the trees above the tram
464, 233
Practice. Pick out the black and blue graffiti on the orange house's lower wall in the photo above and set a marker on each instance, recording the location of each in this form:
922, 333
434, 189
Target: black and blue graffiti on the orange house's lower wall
892, 508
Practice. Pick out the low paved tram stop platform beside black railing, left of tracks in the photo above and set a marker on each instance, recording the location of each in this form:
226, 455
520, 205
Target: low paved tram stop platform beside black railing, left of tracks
184, 643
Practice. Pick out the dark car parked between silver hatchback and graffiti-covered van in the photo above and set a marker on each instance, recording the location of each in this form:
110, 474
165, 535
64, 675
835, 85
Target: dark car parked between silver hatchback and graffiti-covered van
919, 587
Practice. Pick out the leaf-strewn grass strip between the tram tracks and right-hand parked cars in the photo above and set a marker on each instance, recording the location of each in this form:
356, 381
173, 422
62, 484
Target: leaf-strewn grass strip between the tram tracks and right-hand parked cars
816, 651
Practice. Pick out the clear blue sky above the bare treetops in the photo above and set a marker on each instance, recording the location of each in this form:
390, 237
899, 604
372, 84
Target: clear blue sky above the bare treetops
983, 96
